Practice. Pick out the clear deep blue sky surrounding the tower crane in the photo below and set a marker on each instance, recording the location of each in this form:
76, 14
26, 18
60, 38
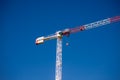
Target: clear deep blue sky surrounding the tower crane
91, 55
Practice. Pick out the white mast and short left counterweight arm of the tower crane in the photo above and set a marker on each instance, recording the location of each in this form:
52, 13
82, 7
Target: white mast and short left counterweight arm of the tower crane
57, 35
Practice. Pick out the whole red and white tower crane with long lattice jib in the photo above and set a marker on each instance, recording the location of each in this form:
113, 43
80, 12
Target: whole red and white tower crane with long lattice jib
66, 32
